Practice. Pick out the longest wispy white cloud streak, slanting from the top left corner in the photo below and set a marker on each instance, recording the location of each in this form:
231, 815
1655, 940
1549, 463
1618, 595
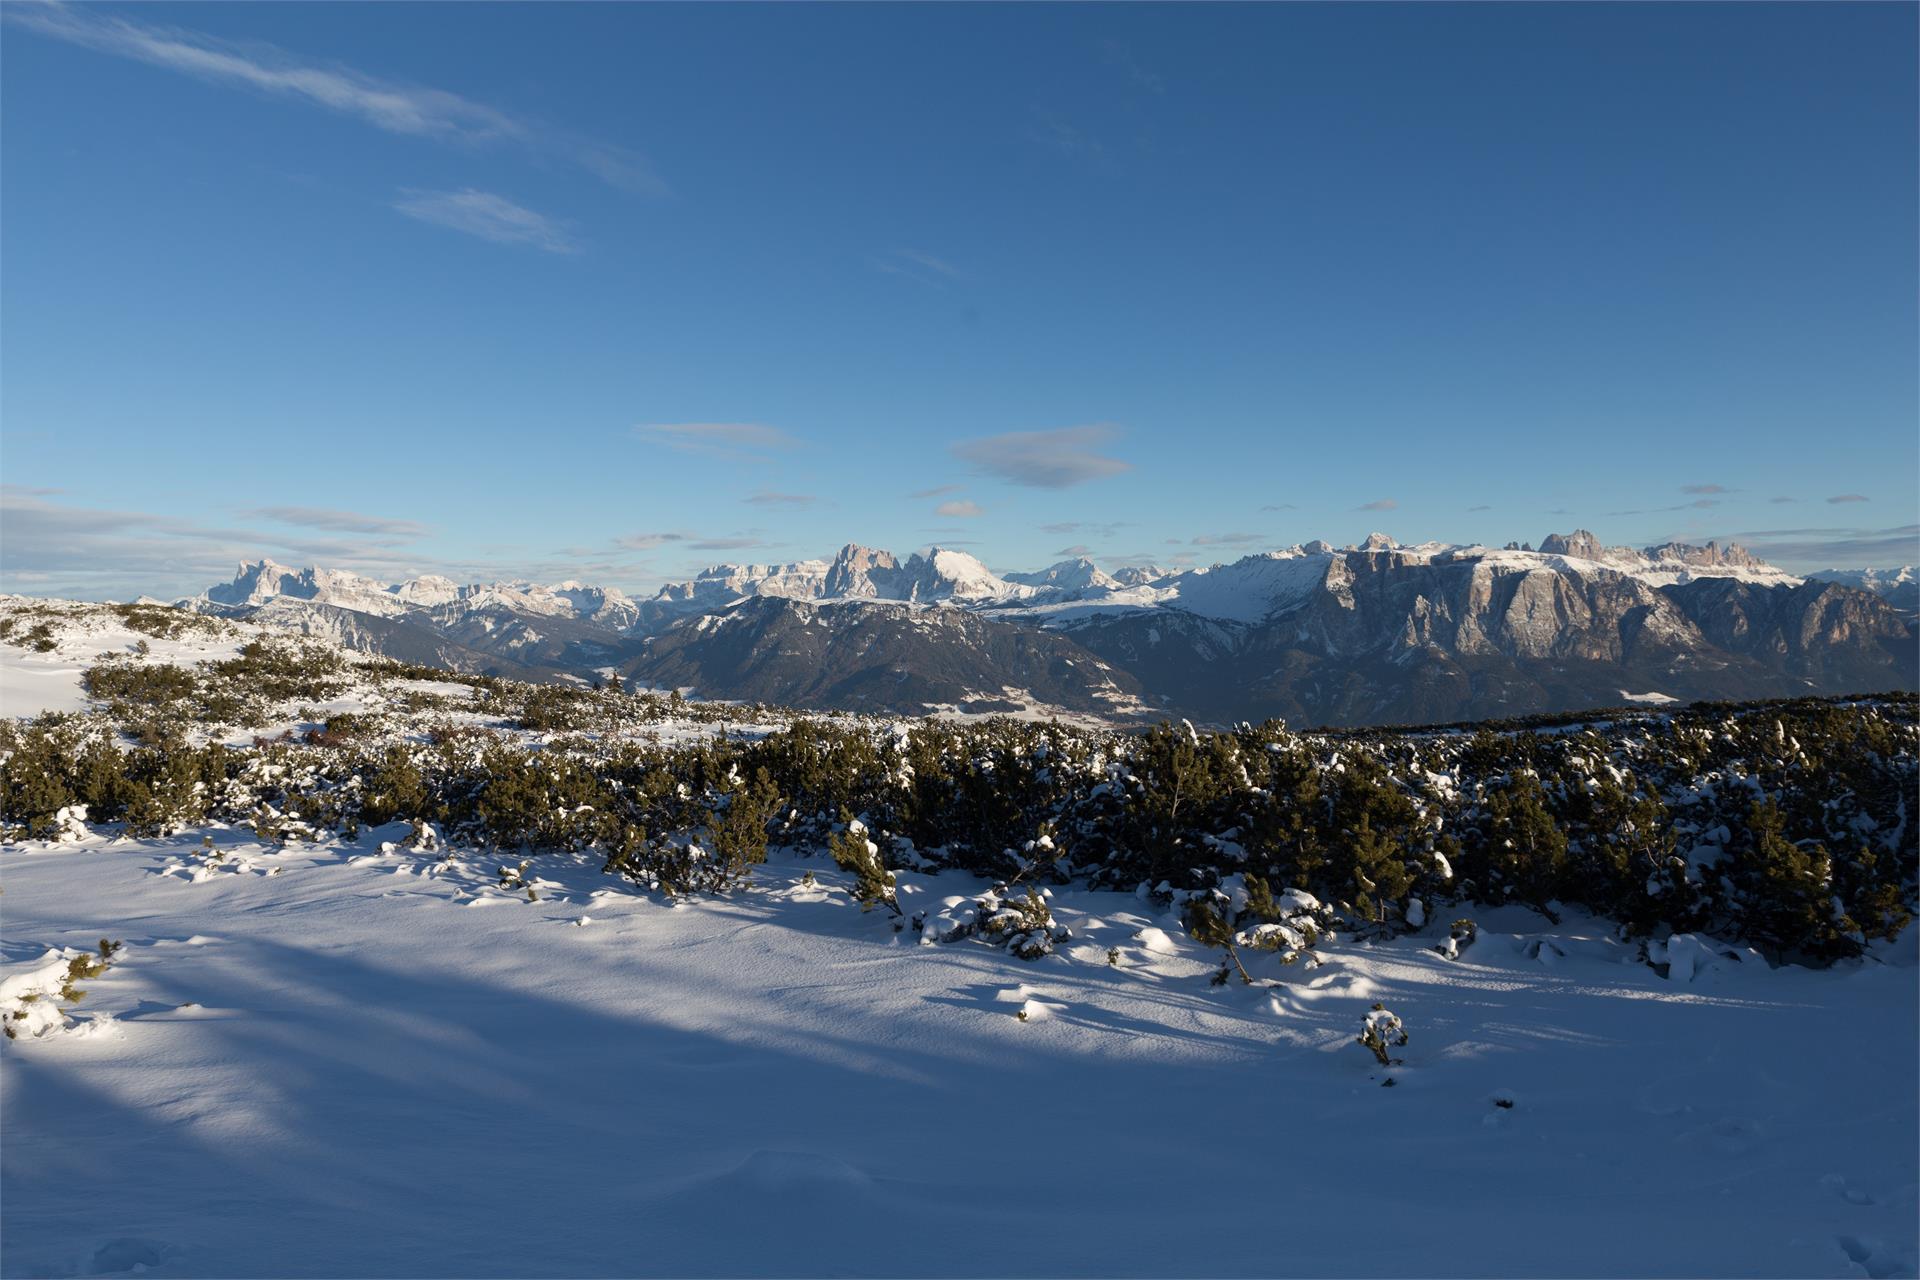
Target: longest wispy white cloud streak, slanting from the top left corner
410, 110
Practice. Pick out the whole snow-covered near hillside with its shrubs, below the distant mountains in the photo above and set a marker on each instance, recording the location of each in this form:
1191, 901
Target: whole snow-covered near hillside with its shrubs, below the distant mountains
391, 995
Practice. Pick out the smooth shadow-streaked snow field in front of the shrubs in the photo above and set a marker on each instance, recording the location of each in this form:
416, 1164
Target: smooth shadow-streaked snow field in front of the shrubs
329, 1060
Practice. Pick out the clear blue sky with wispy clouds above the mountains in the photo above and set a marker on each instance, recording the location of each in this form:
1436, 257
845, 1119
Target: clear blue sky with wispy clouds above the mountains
619, 291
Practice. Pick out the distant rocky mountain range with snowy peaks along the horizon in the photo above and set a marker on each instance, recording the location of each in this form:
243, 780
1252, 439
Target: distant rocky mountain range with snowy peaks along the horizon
1364, 634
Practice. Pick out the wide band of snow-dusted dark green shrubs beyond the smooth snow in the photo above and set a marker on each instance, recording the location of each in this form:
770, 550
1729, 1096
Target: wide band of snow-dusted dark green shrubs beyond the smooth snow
1648, 820
